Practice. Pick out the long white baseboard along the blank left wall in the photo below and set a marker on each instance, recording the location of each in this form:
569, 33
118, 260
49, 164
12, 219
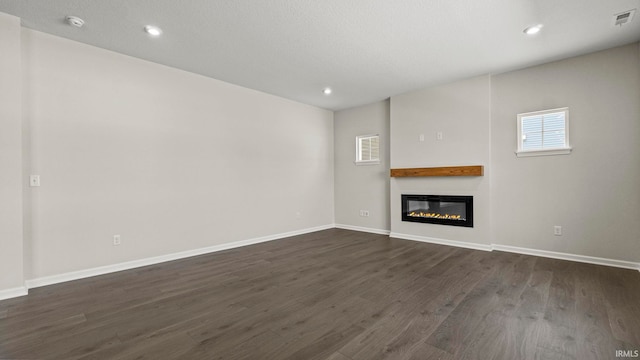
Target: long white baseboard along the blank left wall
101, 270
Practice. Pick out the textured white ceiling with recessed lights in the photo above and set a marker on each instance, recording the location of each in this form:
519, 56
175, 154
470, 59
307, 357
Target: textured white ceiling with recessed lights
366, 50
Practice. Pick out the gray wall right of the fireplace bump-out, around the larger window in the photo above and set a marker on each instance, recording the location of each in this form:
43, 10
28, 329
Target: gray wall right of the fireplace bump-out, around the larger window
593, 193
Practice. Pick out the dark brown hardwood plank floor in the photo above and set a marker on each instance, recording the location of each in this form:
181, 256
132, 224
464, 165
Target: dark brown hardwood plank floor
334, 295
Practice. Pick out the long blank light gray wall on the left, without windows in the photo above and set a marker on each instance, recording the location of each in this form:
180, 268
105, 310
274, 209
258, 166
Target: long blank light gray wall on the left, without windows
169, 160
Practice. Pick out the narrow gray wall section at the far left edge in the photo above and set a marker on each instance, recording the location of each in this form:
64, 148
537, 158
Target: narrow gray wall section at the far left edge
11, 256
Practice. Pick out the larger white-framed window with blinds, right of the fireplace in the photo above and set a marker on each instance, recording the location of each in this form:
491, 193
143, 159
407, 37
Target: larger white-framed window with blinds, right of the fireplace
544, 133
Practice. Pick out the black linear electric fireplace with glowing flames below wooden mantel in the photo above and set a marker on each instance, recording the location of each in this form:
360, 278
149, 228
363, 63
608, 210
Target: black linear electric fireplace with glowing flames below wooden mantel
438, 209
